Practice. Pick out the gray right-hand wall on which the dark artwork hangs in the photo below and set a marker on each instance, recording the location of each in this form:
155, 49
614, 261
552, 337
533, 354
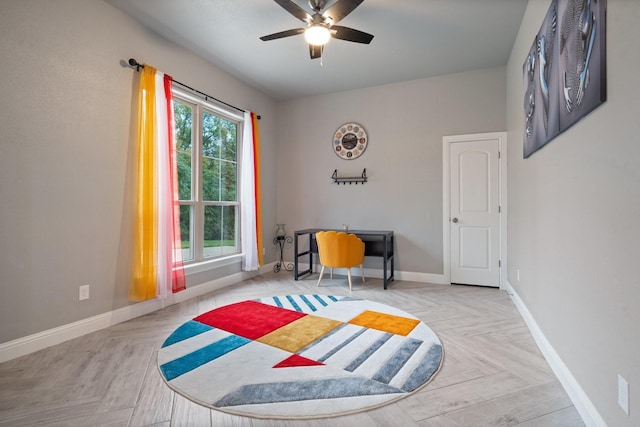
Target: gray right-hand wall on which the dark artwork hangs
573, 221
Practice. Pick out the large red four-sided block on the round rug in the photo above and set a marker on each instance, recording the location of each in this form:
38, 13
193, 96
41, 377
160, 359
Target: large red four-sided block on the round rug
249, 319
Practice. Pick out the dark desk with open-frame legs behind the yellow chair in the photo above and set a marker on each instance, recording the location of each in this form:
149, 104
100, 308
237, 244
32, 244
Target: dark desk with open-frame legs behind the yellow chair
376, 243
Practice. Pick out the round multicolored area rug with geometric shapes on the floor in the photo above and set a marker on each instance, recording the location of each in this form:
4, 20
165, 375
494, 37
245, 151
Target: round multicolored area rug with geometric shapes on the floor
300, 356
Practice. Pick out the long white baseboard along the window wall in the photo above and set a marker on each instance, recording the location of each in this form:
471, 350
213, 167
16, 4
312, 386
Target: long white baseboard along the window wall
31, 343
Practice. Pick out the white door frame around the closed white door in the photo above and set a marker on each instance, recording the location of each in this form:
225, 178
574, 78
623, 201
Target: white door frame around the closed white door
446, 198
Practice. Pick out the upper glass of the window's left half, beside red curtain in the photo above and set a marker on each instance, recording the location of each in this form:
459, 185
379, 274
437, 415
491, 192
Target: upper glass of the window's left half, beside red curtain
183, 121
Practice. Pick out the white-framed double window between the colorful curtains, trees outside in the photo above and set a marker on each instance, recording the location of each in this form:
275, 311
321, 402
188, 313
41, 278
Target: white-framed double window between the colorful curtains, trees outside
207, 149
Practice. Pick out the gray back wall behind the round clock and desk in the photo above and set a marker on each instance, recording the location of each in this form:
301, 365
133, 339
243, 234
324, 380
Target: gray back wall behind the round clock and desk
405, 123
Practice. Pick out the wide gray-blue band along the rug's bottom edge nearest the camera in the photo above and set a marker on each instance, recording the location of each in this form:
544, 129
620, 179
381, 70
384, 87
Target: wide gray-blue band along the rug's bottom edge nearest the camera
293, 391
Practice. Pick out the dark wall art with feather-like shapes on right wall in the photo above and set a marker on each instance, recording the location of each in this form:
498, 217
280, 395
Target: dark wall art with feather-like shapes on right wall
564, 72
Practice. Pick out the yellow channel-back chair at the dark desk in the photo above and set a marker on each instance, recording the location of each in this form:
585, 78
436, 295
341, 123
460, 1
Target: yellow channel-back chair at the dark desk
340, 250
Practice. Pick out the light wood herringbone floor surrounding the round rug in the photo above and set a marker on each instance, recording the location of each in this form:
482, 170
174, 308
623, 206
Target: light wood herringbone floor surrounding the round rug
493, 374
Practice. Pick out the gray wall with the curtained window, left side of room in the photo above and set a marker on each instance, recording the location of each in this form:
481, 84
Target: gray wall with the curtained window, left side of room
65, 117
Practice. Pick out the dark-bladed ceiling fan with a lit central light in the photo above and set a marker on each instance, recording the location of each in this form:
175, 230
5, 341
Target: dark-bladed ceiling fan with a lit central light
321, 26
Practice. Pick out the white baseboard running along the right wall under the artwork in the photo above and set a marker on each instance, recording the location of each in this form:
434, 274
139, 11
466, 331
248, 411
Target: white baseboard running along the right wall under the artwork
581, 401
